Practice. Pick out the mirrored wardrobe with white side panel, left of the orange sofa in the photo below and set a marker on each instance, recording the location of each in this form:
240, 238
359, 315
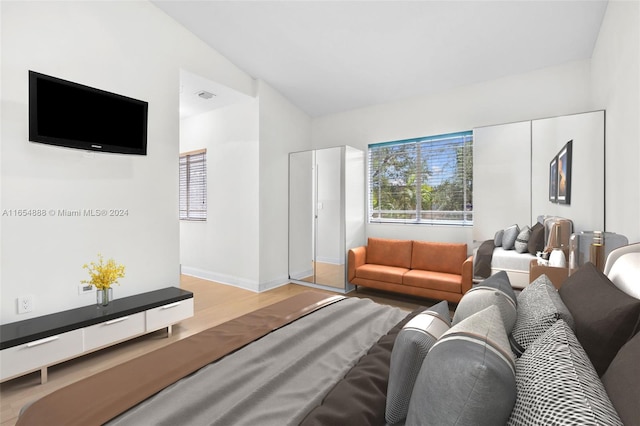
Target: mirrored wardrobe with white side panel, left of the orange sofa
326, 214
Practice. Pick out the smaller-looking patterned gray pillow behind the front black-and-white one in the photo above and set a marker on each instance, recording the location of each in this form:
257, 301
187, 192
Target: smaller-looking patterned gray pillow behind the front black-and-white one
539, 307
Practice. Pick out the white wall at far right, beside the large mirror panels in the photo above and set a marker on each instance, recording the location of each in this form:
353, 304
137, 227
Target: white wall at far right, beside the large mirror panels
615, 87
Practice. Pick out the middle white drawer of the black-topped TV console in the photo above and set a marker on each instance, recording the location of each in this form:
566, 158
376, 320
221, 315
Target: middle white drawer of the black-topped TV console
112, 331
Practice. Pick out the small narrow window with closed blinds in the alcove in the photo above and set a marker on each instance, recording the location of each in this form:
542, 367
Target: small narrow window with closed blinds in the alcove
193, 185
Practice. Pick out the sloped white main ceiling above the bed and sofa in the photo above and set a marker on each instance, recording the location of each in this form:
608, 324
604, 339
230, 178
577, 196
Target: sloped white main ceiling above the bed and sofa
332, 56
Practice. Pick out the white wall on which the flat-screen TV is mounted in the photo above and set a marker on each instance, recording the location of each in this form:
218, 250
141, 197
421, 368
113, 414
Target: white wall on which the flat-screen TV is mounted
130, 48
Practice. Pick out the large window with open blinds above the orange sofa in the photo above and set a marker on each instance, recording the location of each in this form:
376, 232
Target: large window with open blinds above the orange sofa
425, 180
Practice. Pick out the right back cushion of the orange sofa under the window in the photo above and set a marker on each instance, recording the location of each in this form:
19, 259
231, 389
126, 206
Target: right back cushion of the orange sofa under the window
438, 257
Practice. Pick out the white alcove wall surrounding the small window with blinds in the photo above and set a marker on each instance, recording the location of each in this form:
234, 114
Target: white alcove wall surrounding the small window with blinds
225, 248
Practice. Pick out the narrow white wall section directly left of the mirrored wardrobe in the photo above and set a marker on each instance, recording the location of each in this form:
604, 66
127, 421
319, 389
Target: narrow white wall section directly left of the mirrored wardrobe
284, 128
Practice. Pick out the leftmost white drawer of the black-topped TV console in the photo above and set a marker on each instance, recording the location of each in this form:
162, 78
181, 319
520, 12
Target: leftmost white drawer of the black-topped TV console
40, 353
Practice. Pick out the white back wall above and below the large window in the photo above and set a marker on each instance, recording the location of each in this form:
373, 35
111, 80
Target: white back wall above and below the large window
548, 92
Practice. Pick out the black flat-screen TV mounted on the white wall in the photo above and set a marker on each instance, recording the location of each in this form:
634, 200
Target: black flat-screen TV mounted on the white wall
72, 115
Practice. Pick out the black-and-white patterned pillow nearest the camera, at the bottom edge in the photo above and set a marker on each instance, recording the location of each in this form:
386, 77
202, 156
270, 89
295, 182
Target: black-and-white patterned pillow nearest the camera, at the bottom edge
557, 384
